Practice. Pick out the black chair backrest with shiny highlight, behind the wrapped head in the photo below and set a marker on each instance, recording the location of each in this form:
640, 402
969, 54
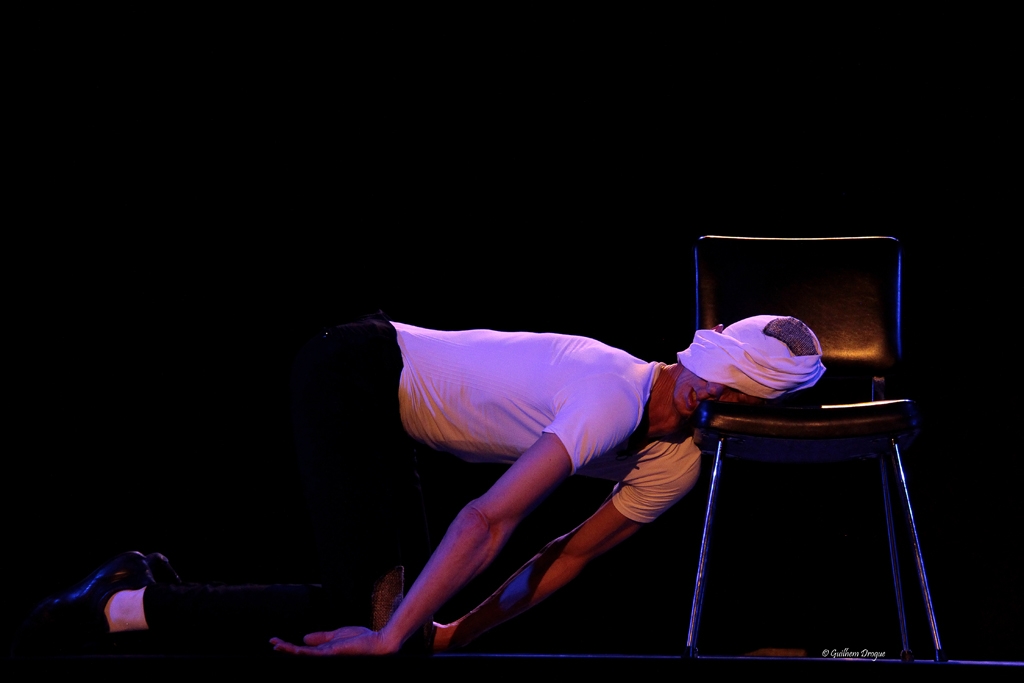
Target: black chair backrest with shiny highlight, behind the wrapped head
846, 289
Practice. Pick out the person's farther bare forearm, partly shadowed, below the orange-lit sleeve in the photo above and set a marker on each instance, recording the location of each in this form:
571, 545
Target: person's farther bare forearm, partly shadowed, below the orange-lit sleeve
560, 563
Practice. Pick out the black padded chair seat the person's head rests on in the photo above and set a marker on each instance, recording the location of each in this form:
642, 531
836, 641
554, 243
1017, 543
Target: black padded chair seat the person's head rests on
819, 435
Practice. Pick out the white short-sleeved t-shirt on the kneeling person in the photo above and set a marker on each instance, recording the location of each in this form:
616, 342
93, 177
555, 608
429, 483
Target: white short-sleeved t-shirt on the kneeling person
487, 397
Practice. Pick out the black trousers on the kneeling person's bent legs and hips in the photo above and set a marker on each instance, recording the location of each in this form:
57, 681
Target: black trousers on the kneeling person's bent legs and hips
362, 486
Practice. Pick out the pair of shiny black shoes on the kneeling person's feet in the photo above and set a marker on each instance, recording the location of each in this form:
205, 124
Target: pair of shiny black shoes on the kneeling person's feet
73, 622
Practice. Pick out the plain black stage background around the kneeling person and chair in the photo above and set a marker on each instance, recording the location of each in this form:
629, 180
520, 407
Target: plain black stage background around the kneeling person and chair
194, 196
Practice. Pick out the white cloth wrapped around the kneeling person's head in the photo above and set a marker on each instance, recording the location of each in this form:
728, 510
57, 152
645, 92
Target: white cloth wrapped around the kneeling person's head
745, 357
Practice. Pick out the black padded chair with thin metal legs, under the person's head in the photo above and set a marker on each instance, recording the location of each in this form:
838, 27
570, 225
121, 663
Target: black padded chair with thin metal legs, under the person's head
848, 290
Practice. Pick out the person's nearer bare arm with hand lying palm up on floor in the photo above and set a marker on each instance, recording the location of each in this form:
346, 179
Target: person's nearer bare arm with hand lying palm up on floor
471, 544
